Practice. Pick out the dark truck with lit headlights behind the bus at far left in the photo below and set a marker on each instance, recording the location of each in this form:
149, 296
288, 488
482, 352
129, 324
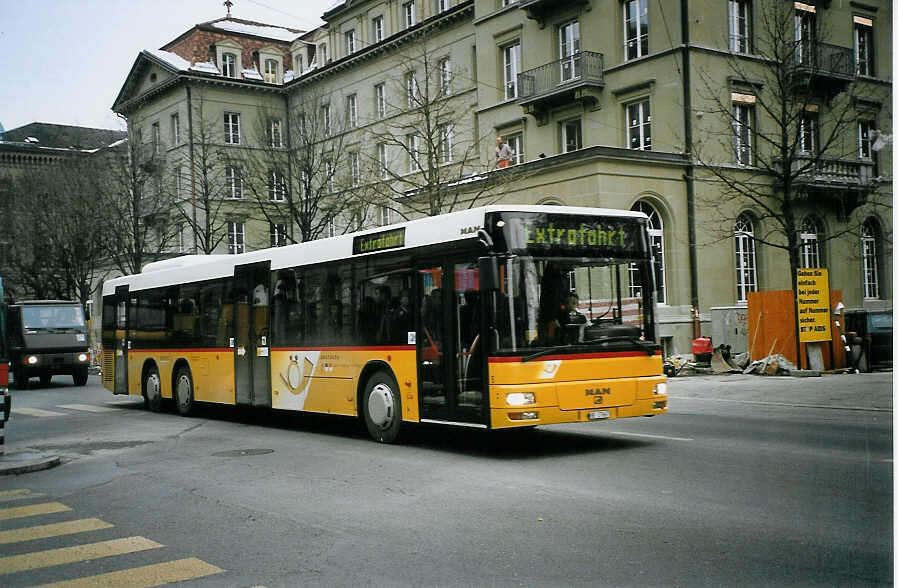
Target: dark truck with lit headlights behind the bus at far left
47, 338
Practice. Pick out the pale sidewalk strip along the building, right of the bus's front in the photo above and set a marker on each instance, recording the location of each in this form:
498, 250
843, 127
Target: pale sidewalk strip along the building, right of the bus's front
847, 391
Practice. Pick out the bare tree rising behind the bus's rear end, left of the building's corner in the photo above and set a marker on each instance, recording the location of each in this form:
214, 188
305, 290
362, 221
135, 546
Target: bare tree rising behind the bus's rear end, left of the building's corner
136, 202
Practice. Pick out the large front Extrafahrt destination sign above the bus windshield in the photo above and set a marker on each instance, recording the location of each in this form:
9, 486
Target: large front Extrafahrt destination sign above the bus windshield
575, 235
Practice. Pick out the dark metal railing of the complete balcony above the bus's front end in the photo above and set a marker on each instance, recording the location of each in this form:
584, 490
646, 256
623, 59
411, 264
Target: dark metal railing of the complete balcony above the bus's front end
585, 67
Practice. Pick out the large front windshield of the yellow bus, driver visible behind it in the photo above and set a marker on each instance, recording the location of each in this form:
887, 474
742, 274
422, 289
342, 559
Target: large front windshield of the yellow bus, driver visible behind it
573, 305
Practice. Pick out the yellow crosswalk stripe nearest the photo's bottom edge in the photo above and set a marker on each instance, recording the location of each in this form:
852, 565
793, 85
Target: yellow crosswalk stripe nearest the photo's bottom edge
145, 576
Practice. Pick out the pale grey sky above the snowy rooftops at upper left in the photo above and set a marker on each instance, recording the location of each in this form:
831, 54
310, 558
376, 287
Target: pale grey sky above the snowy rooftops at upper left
64, 61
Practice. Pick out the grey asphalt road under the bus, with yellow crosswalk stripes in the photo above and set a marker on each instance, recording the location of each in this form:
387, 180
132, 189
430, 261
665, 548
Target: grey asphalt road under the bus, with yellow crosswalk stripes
749, 481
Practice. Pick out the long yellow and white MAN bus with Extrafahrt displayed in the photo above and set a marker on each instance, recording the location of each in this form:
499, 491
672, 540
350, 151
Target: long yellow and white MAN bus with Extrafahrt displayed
494, 317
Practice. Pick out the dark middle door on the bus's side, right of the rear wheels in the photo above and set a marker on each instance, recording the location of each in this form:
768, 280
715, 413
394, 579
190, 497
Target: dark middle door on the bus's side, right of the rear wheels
252, 367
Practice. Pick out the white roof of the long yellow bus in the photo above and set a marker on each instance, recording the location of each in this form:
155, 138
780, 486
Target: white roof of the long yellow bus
433, 230
